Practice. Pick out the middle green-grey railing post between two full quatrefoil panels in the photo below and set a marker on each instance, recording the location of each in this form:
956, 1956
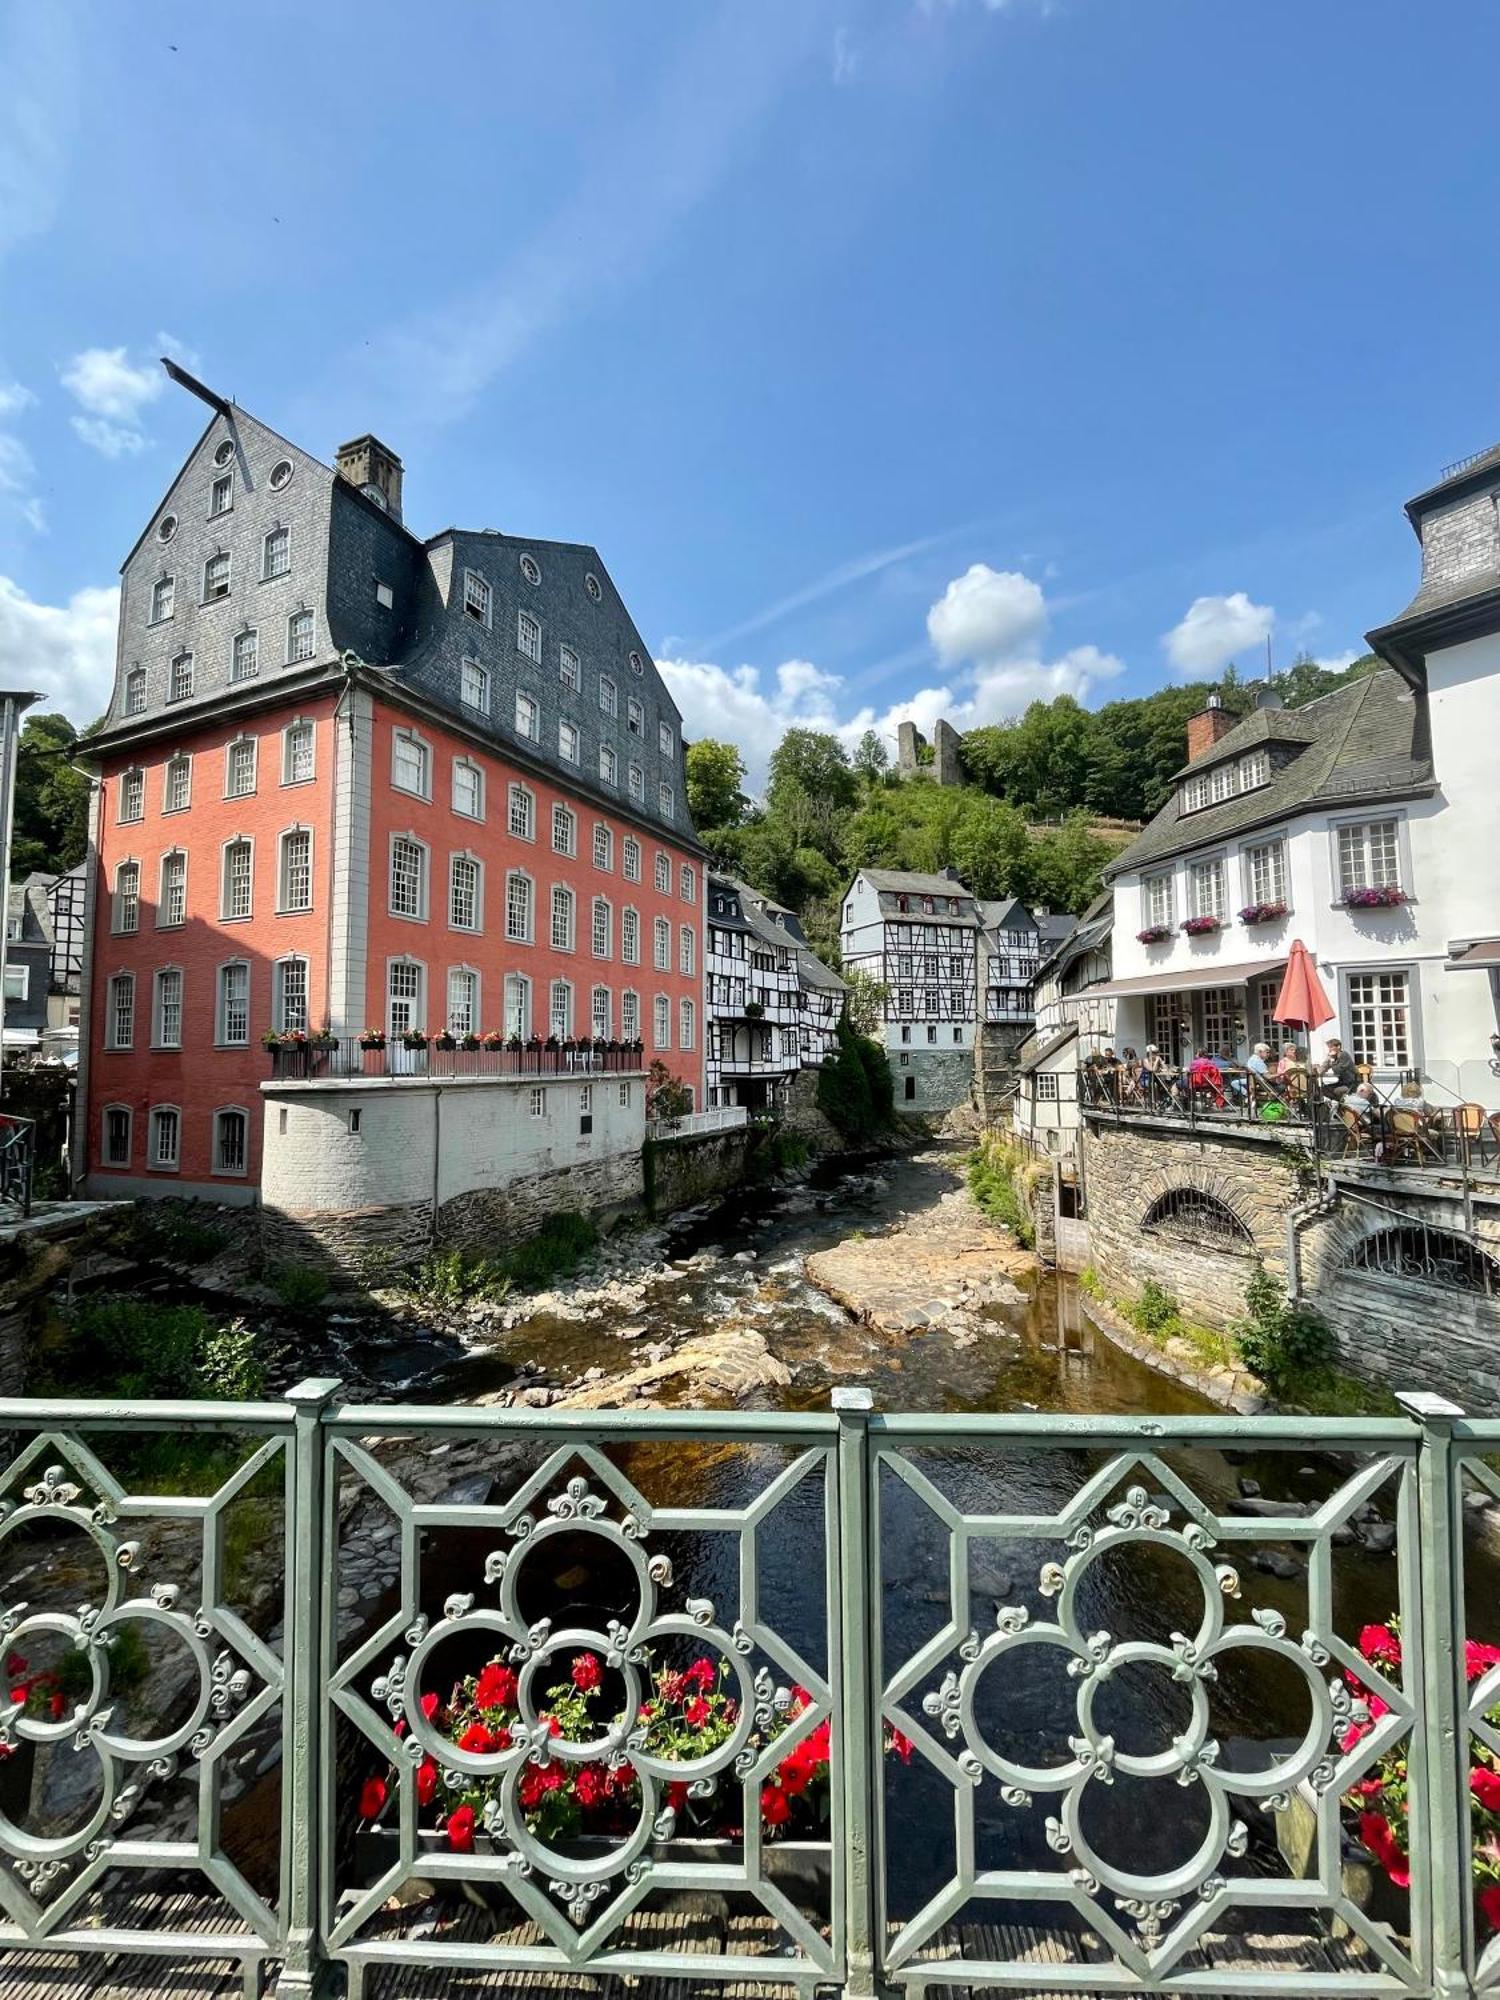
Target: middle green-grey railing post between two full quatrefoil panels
859, 1697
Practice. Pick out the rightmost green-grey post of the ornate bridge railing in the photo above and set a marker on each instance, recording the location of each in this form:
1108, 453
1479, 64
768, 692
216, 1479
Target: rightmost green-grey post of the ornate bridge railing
1443, 1711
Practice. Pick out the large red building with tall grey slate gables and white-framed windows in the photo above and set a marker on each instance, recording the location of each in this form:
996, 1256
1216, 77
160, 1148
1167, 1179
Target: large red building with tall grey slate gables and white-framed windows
355, 781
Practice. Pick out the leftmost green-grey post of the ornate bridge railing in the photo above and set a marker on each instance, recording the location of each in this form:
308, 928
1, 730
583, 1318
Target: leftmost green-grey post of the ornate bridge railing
305, 1631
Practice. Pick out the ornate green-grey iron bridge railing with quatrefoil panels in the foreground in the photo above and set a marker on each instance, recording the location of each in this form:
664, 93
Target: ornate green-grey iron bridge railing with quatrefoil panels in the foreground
815, 1701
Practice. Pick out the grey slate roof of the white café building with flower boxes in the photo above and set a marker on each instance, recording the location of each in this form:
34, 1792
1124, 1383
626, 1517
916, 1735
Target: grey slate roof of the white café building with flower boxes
1367, 741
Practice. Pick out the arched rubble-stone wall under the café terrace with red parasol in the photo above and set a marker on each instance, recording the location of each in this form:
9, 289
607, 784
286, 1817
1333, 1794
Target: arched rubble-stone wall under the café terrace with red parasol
1399, 1333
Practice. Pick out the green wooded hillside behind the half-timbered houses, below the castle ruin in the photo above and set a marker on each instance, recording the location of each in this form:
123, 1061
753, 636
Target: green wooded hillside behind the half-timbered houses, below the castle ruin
1037, 819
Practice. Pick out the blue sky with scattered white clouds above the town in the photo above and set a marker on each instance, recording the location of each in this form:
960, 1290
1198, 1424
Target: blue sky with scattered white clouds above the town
899, 355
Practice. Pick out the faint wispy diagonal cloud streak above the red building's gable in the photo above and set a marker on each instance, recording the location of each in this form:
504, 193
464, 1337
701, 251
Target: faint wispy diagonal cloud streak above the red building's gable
643, 181
